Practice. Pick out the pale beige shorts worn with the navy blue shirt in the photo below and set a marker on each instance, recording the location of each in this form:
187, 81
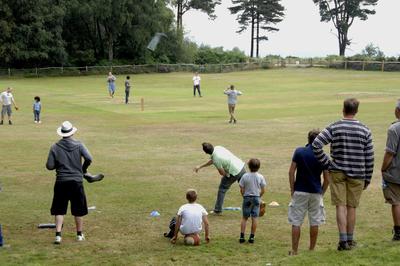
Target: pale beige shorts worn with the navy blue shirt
303, 202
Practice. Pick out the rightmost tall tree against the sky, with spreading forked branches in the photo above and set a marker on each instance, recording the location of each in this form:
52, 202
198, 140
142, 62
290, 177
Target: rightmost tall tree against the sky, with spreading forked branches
342, 13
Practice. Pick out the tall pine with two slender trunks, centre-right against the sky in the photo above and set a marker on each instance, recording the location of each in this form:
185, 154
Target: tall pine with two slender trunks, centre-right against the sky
257, 14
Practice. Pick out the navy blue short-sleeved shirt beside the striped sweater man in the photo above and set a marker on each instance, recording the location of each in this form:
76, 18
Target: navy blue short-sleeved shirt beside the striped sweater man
308, 172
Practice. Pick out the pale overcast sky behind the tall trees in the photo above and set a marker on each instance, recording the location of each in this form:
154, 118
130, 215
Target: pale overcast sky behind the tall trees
301, 32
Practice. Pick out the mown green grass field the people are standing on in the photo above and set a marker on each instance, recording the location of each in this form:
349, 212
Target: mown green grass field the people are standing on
148, 158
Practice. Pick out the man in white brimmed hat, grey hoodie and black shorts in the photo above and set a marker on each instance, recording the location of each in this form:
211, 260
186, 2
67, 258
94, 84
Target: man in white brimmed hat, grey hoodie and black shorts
65, 157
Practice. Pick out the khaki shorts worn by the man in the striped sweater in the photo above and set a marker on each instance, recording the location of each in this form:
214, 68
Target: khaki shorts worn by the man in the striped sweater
345, 191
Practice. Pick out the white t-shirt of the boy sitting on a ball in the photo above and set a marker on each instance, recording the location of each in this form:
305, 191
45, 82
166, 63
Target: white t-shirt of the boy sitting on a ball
192, 218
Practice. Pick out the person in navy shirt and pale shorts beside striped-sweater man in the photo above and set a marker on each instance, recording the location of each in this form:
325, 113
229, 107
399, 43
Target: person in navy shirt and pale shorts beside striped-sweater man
306, 192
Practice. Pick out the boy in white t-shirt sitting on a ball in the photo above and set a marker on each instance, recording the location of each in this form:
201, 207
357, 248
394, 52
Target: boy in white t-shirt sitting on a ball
190, 218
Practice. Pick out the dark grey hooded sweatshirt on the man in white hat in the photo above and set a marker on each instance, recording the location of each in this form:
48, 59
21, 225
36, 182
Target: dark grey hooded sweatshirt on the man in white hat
65, 157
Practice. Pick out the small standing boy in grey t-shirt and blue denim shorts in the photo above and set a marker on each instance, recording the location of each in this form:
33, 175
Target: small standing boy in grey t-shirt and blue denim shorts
252, 187
